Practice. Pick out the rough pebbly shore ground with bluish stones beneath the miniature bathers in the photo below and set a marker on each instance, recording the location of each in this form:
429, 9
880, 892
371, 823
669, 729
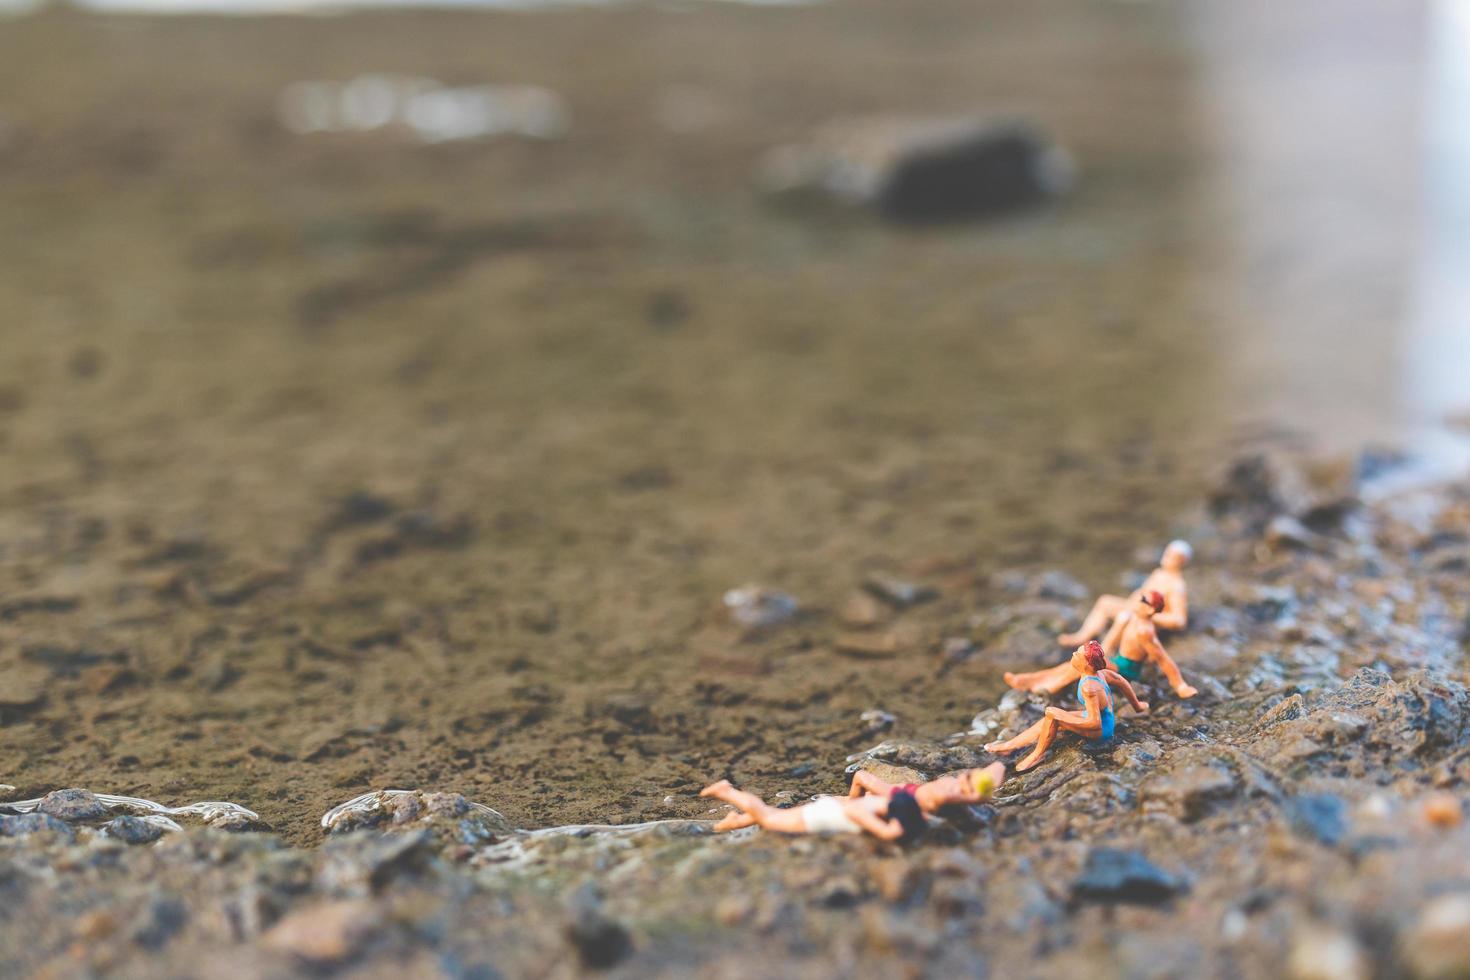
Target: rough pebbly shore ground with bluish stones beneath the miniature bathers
1302, 815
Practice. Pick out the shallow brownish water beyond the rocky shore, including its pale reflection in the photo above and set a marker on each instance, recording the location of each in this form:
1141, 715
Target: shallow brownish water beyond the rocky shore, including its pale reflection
339, 461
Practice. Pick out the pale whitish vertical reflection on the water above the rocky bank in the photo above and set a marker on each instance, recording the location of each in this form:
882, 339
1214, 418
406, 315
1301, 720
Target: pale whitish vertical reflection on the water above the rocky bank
1343, 215
